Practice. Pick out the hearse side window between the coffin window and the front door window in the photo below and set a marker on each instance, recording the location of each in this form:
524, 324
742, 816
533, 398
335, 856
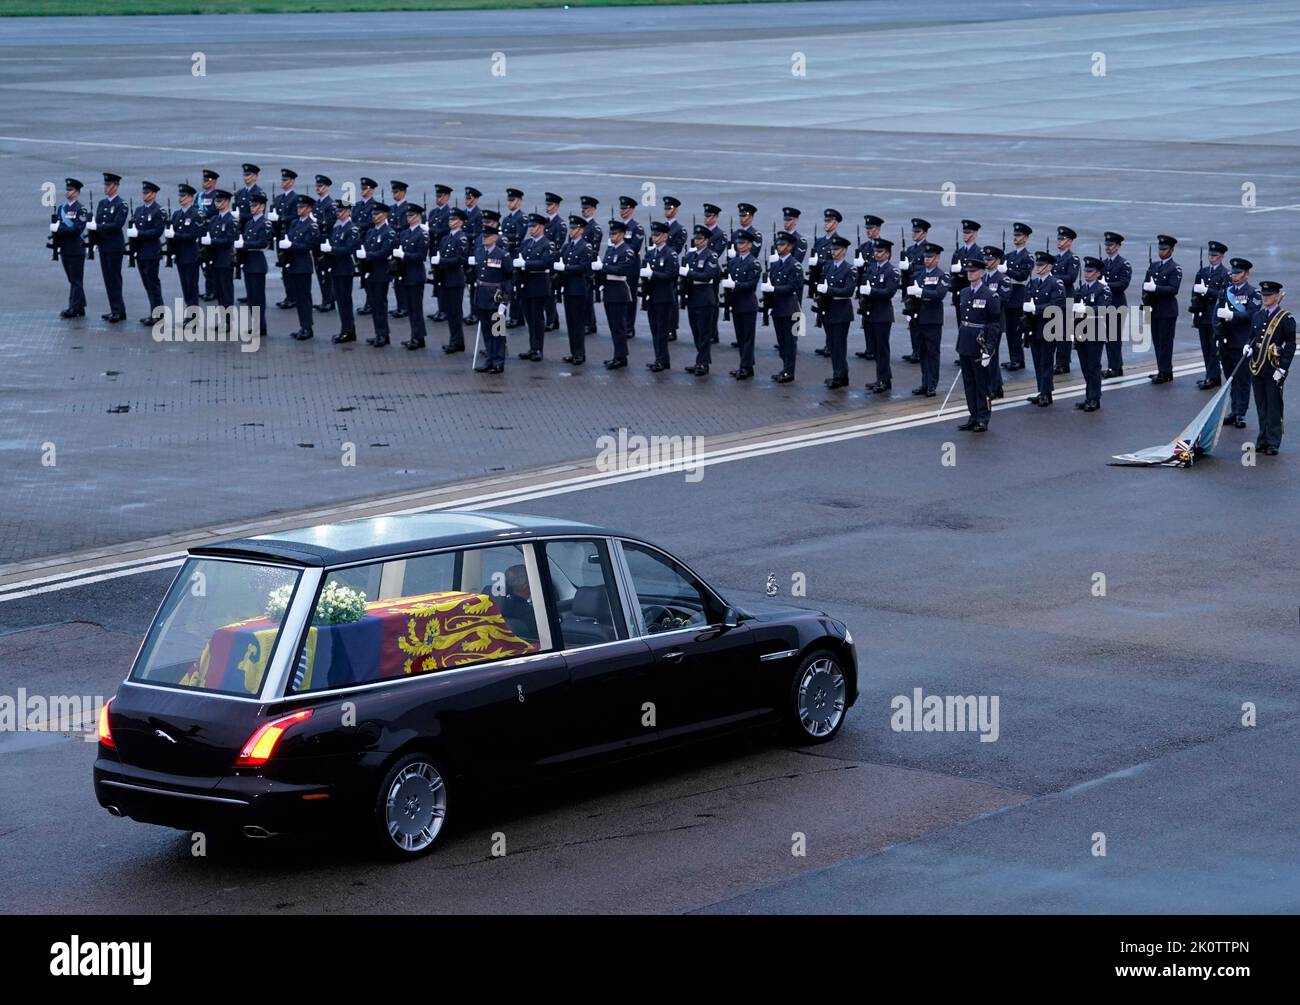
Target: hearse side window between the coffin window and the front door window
587, 601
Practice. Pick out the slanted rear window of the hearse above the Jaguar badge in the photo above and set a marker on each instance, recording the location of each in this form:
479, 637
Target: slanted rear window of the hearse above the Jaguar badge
218, 627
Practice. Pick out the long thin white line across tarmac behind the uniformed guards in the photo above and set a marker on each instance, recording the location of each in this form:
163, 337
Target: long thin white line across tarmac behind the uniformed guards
749, 184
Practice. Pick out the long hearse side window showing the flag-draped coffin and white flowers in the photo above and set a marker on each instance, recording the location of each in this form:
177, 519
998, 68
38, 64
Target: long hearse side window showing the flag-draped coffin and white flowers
421, 616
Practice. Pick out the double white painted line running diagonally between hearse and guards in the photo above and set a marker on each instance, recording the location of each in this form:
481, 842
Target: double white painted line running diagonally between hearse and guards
565, 486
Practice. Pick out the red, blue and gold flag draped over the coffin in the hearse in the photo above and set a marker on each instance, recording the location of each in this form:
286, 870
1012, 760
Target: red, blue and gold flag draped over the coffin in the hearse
410, 635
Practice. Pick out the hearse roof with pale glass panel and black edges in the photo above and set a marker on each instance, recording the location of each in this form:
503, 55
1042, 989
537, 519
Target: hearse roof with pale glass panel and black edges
382, 538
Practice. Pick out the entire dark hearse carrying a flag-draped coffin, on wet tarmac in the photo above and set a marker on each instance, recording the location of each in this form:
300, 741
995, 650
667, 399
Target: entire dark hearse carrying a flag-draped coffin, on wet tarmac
359, 673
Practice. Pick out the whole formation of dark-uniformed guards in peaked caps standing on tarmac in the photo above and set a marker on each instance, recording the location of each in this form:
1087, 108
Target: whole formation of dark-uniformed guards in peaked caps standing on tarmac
517, 270
